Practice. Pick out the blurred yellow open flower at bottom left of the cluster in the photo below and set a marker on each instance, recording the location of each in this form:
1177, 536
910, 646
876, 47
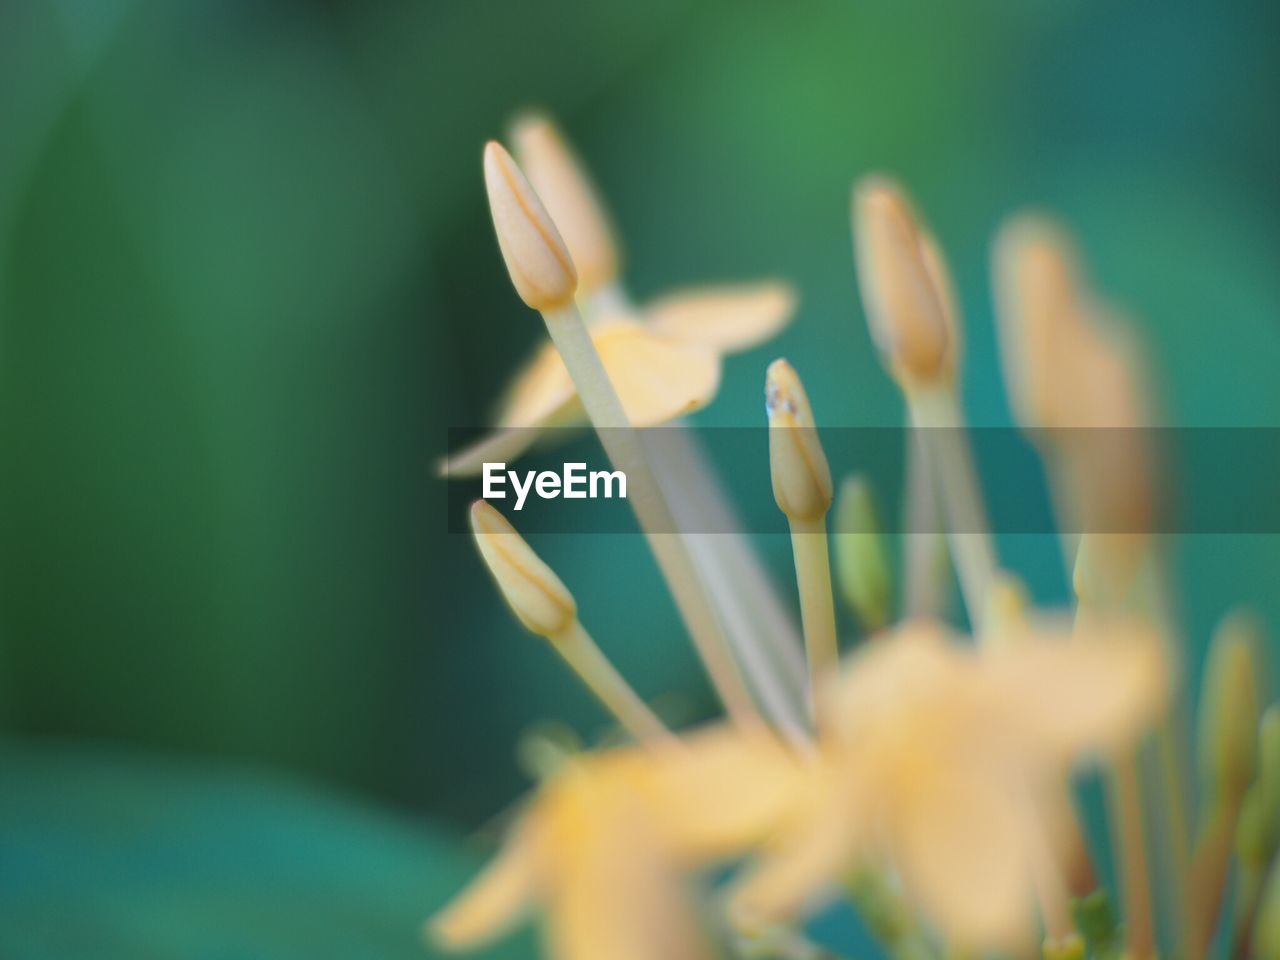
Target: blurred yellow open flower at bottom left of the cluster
606, 844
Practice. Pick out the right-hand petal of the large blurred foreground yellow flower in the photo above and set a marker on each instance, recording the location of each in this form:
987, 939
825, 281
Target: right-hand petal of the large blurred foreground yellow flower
1067, 697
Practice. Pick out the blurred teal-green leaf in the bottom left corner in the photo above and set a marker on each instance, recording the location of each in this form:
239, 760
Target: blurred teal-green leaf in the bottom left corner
116, 854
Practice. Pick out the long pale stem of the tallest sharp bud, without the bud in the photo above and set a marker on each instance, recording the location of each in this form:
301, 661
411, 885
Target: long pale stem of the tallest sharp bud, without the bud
644, 493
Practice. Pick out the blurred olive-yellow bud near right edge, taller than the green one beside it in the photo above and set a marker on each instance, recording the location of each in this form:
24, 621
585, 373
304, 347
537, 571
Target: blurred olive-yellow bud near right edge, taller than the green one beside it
1229, 708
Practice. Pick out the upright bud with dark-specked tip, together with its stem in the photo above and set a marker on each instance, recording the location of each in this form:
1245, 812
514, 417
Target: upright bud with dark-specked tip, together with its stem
802, 486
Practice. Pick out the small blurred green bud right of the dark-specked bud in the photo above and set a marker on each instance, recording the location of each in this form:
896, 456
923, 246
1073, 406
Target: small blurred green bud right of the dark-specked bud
862, 568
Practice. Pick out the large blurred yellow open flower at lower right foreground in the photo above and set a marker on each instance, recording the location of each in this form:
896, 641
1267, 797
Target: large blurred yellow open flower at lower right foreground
948, 765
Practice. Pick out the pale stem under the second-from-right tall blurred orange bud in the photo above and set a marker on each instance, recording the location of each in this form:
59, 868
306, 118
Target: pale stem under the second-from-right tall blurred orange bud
947, 446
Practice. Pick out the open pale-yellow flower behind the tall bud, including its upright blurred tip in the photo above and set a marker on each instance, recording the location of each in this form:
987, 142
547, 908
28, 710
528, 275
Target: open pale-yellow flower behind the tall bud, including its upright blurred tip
664, 358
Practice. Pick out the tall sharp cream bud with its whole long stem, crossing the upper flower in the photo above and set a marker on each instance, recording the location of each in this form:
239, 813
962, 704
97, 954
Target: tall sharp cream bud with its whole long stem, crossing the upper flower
519, 220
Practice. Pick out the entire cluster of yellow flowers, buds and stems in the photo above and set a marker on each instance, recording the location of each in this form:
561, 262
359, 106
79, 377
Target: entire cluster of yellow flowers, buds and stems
927, 776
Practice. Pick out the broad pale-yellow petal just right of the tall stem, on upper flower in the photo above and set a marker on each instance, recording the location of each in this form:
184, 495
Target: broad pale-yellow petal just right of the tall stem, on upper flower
657, 378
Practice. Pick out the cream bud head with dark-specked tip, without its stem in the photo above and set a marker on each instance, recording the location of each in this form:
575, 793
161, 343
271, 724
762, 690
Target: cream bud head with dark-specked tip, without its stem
802, 479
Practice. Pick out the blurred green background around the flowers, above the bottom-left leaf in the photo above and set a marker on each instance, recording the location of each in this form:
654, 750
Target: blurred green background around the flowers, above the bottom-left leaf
248, 282
